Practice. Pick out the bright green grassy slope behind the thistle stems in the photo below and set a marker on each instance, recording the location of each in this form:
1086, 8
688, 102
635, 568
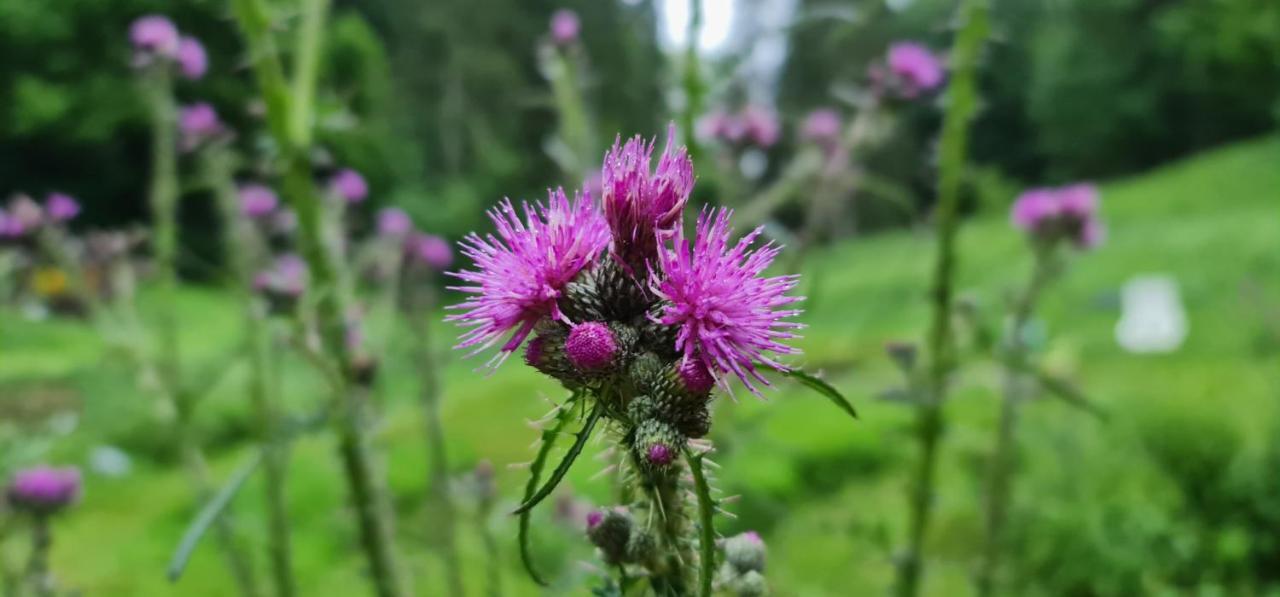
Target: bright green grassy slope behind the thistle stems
828, 493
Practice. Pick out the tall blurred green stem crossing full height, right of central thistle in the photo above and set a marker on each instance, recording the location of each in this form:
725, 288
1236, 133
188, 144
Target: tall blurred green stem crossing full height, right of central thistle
962, 104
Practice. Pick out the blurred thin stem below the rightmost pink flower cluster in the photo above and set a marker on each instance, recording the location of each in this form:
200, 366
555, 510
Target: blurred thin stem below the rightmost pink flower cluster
1000, 472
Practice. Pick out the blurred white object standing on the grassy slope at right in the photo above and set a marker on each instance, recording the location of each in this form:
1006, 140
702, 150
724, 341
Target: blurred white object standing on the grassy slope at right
1153, 318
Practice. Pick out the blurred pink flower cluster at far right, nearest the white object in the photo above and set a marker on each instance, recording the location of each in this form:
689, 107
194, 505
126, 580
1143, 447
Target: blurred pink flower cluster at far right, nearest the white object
1066, 213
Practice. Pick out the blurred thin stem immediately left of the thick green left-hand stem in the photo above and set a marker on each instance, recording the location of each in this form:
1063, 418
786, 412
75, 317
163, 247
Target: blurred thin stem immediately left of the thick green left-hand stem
239, 240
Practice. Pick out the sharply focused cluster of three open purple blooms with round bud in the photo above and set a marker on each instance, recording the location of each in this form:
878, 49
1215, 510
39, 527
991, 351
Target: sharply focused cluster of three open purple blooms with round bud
703, 308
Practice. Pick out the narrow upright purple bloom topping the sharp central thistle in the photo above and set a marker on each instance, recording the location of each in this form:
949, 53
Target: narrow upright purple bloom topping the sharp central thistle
644, 209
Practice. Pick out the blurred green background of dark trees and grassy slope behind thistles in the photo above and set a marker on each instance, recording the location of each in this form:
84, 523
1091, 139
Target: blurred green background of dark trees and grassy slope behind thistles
1172, 106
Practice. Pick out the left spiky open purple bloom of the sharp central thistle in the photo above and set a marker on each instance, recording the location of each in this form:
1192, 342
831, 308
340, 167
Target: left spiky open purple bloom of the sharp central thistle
523, 271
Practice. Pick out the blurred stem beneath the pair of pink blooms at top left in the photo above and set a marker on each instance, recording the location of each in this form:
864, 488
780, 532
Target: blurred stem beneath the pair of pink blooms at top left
164, 215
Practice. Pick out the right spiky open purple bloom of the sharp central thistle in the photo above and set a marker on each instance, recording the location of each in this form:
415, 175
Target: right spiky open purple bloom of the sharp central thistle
728, 315
